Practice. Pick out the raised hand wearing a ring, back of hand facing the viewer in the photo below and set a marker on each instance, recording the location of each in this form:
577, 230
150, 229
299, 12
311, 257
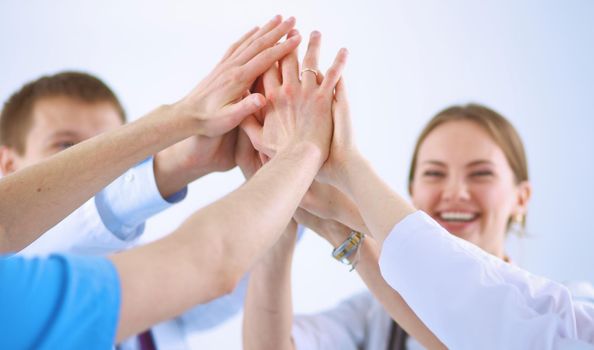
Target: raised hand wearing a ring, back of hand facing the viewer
297, 110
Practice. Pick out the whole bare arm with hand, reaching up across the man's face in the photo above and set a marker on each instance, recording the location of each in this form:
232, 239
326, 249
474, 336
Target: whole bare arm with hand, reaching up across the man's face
36, 198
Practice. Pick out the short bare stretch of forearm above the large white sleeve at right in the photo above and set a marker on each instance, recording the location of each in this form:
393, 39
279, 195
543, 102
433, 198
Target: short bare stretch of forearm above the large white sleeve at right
380, 207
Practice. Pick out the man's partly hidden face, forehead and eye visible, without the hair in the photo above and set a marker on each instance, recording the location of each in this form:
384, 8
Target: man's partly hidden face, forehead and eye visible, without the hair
58, 123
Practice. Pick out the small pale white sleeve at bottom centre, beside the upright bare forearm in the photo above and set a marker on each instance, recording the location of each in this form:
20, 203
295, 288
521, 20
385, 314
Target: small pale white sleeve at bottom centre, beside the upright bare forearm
342, 327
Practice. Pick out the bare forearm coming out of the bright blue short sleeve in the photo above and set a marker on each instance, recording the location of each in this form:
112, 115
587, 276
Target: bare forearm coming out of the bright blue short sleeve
218, 244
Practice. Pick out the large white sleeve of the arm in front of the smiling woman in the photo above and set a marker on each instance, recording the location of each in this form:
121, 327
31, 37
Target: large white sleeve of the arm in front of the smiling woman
472, 300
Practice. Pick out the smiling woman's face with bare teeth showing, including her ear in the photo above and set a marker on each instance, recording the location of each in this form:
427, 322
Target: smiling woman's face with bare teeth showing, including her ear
463, 179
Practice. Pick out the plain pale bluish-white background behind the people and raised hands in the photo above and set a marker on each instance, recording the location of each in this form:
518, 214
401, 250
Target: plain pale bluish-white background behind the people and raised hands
531, 60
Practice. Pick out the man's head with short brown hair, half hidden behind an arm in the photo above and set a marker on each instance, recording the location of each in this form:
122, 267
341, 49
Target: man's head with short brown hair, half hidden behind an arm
53, 113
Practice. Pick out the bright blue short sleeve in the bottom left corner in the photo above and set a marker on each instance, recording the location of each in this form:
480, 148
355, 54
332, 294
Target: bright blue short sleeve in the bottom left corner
59, 302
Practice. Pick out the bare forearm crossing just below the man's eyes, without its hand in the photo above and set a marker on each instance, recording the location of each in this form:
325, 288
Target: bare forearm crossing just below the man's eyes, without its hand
38, 197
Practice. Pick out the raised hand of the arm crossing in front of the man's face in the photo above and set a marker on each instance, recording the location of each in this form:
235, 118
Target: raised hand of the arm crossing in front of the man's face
219, 103
